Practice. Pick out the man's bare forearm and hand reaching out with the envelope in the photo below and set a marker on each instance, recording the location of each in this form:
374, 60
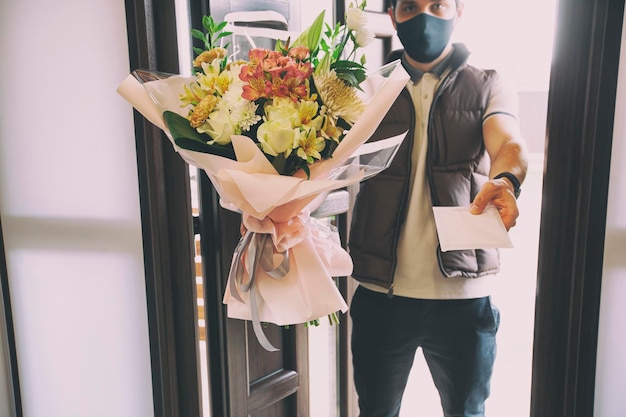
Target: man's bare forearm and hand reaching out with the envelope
507, 152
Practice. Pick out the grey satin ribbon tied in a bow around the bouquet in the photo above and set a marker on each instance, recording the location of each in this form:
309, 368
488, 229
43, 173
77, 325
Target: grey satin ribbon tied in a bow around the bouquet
259, 251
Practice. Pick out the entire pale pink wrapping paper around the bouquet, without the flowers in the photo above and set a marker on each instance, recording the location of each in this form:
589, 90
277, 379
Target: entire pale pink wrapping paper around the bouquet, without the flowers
278, 206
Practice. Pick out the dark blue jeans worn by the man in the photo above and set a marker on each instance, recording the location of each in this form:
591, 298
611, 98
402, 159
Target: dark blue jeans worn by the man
457, 337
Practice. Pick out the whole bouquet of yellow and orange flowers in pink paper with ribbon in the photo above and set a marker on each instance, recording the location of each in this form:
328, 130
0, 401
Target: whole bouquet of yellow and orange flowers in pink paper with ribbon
275, 133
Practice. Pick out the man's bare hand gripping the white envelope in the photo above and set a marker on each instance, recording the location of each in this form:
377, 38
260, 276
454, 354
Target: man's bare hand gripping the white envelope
498, 192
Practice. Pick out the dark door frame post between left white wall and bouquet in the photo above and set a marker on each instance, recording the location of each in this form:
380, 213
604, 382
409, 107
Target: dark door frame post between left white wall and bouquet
167, 225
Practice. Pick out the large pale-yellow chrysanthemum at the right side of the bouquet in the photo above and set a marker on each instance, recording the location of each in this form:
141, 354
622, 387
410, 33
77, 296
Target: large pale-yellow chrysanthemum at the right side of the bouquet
340, 100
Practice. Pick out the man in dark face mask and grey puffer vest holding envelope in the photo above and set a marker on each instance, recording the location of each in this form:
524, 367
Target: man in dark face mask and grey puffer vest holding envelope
463, 148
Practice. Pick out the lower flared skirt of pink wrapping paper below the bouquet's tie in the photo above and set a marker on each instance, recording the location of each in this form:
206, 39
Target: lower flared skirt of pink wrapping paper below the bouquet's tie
307, 291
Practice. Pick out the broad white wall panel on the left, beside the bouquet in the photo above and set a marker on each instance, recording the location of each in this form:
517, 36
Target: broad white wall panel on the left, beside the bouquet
70, 210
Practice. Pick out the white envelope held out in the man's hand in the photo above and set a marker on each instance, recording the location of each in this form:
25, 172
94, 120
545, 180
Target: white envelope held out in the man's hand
458, 229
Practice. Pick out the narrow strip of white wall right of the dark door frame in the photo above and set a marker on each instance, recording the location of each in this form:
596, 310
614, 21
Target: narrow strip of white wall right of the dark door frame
611, 365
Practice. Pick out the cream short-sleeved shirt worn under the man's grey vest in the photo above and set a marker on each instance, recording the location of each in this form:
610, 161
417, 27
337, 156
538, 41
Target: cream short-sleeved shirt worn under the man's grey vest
417, 273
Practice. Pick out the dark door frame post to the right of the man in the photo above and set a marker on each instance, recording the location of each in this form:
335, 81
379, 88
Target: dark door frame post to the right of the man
581, 111
